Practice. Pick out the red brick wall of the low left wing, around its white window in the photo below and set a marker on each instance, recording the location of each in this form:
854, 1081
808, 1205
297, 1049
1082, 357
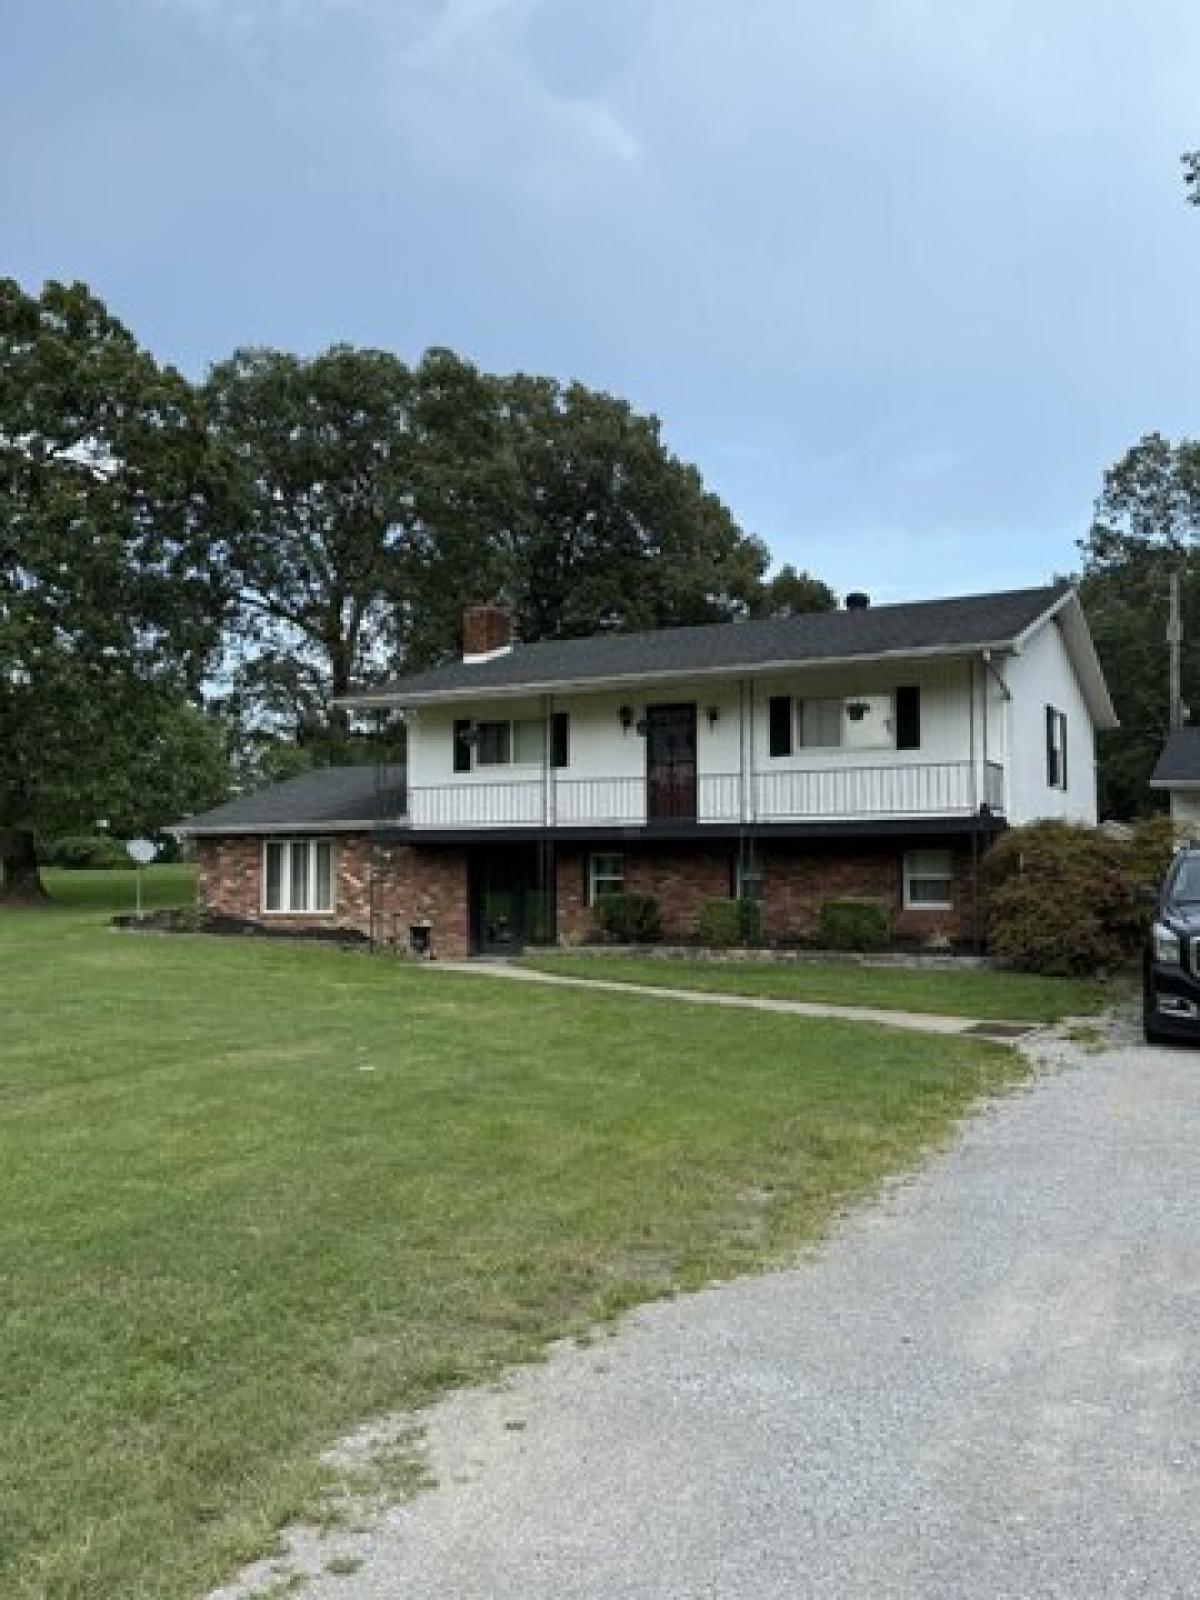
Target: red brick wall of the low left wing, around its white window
410, 886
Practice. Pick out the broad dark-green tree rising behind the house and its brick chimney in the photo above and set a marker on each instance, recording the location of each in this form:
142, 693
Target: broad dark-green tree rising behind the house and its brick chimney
378, 500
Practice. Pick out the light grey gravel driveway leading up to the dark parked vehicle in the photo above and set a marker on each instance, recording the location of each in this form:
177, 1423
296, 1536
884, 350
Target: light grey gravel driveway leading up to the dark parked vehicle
985, 1386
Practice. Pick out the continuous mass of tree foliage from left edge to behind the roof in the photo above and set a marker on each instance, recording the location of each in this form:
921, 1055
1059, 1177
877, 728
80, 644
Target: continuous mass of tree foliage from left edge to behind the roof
199, 572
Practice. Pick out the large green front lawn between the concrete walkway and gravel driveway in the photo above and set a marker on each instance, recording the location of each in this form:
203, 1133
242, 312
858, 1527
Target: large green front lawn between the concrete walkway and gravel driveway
252, 1194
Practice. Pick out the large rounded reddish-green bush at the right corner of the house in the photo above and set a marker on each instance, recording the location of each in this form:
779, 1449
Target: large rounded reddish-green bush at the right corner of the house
1062, 898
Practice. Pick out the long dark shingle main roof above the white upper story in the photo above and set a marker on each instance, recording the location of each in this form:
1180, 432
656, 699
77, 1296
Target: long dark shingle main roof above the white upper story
966, 623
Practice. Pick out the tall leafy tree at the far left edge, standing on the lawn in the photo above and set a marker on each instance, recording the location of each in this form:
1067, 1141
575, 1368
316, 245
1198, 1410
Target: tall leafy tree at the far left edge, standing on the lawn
111, 590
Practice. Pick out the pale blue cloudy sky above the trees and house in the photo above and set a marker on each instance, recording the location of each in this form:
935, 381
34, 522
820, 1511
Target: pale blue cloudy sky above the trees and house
902, 276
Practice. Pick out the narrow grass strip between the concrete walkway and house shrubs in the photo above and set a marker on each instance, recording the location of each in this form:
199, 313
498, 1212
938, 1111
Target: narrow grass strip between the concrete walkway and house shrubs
980, 993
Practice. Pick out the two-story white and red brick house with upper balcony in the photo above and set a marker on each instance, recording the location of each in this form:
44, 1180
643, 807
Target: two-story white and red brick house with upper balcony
874, 751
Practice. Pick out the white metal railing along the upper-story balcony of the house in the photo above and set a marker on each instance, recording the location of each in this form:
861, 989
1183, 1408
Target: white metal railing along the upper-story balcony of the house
910, 790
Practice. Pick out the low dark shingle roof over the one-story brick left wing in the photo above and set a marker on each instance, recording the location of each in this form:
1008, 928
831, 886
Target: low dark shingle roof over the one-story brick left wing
314, 801
